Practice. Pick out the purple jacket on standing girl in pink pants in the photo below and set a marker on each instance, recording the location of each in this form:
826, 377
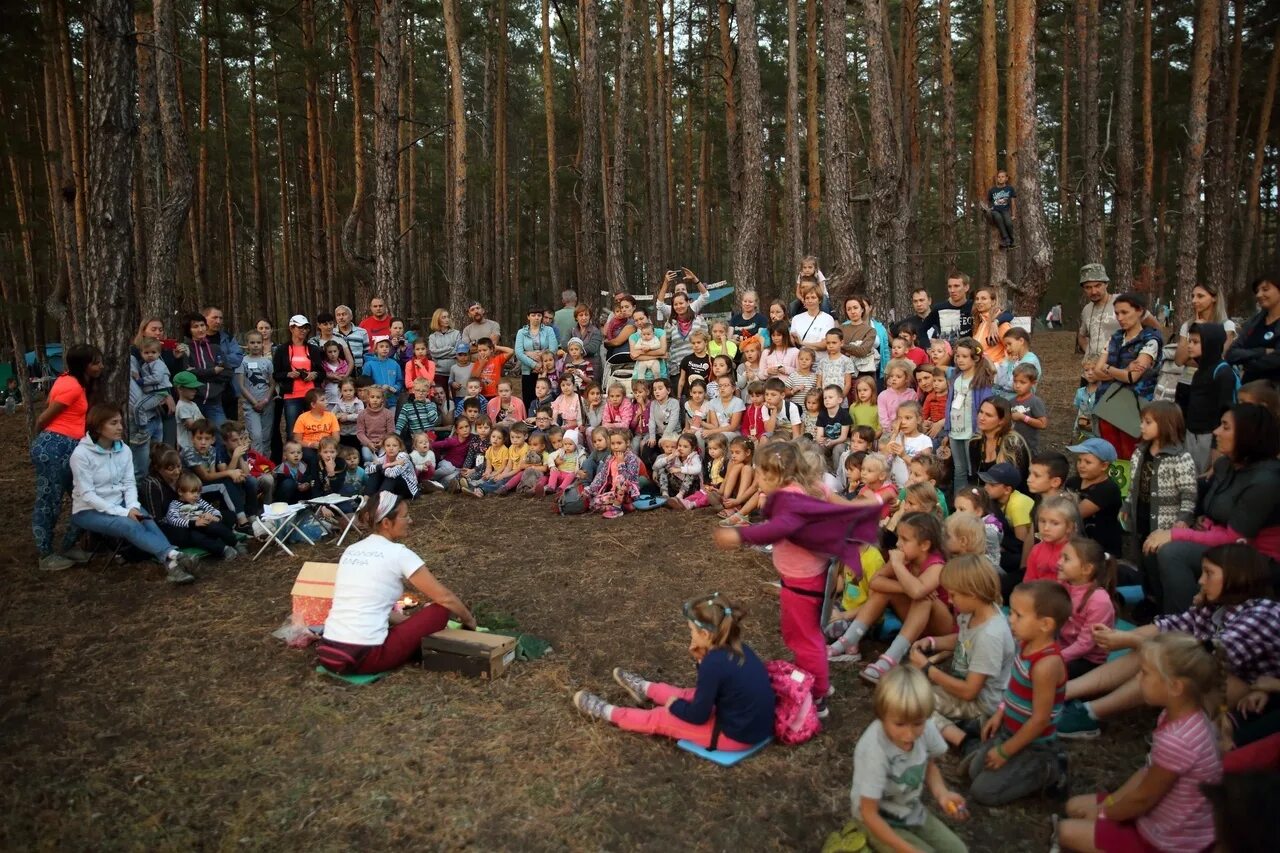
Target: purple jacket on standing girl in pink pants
834, 530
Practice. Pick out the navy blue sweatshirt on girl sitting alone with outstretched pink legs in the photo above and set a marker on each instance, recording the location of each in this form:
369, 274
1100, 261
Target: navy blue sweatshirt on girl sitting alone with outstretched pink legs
738, 691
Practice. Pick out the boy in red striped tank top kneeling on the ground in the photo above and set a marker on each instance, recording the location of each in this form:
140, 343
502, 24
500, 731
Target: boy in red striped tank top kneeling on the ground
1018, 755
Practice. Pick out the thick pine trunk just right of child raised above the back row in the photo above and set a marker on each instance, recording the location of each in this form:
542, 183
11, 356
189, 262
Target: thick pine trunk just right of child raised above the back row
848, 275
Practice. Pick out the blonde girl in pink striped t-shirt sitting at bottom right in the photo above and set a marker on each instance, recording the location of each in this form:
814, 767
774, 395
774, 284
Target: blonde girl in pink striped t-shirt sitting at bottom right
1163, 806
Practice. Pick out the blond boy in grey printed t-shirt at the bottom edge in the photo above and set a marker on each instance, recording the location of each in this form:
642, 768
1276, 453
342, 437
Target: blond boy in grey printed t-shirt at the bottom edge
895, 759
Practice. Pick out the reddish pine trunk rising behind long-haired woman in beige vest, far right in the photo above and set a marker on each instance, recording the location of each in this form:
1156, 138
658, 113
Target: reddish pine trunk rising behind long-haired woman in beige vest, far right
1194, 159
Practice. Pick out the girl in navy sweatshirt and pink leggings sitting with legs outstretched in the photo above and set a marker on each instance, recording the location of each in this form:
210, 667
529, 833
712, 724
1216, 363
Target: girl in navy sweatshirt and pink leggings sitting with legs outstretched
730, 709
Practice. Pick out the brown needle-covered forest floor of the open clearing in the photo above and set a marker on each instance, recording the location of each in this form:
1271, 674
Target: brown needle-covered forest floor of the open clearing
136, 715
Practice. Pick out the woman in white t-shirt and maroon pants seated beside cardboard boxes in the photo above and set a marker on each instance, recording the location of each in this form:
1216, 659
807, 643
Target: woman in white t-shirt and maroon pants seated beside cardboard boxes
364, 632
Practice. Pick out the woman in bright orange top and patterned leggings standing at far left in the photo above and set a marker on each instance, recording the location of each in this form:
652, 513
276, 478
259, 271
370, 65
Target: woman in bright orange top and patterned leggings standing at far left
62, 426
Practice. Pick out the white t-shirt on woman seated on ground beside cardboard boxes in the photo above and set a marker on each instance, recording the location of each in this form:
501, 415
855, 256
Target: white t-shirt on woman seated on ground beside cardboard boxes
372, 577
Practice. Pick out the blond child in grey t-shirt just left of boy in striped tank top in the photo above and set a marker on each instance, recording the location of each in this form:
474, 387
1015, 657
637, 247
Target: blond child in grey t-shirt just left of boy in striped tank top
982, 651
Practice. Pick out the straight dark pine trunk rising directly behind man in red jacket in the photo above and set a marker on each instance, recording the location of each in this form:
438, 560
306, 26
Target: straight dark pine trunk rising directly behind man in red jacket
388, 281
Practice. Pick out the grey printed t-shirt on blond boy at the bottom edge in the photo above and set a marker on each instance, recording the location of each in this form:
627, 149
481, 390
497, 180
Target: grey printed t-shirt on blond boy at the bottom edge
895, 778
